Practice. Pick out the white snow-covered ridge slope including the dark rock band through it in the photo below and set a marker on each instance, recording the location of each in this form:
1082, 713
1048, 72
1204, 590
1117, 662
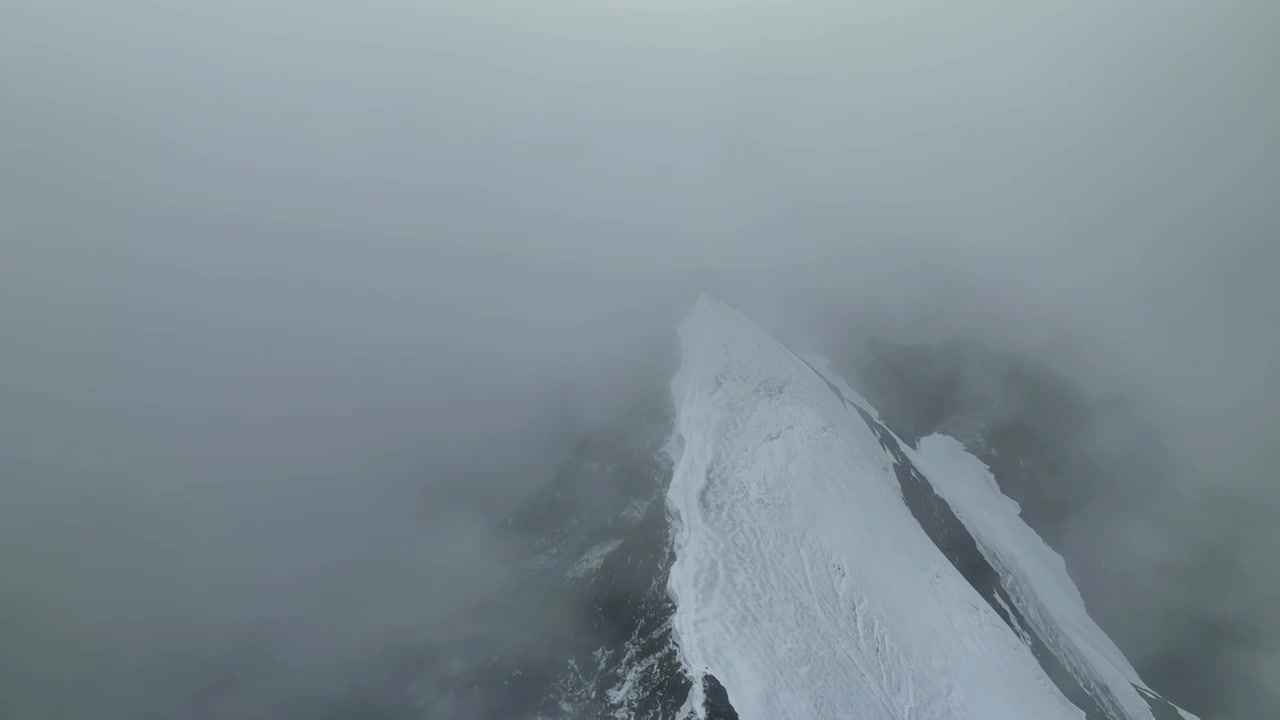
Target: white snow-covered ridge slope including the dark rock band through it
824, 569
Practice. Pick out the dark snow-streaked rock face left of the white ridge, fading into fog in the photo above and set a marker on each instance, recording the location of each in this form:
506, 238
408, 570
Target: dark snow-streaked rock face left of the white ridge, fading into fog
587, 631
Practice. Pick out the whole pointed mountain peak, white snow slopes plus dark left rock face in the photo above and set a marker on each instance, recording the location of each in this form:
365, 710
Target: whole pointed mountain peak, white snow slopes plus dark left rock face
762, 546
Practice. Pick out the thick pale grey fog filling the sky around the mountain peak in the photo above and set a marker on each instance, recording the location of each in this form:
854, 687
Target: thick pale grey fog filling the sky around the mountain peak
296, 297
